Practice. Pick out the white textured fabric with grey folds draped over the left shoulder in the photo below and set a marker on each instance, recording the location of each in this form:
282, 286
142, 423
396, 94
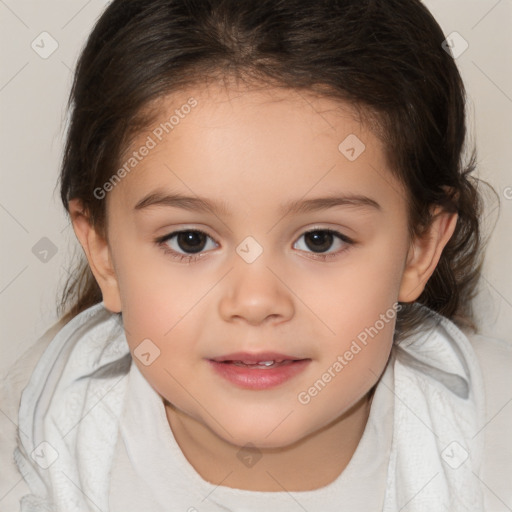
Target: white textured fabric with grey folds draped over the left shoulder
70, 420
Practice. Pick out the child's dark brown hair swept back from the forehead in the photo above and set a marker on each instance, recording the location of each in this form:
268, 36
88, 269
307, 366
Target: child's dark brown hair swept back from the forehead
385, 57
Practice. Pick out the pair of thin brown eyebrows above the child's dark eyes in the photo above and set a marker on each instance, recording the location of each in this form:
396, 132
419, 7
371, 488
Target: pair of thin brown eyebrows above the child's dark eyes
199, 204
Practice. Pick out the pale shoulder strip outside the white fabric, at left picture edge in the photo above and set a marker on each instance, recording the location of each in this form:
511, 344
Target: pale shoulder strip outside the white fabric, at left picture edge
12, 486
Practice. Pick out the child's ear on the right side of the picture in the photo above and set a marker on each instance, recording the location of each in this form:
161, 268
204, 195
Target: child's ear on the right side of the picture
424, 254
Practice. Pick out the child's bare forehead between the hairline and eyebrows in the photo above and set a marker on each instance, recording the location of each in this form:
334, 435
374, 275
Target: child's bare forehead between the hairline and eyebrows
217, 140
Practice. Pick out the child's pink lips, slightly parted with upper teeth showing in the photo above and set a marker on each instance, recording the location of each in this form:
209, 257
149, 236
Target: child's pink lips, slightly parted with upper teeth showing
258, 371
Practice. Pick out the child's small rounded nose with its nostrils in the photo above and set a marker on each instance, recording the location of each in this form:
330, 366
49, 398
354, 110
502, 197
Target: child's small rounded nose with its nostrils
255, 294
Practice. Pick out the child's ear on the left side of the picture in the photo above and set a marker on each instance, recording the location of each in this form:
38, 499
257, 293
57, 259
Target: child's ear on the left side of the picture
98, 255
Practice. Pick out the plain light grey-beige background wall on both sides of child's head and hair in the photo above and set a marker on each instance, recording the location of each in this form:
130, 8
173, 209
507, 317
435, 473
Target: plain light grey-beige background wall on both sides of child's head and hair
33, 95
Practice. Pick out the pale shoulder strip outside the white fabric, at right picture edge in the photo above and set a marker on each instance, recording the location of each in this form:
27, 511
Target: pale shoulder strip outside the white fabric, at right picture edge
495, 359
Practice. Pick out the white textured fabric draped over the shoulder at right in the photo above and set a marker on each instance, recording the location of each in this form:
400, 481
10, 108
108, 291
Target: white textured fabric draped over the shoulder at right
439, 409
